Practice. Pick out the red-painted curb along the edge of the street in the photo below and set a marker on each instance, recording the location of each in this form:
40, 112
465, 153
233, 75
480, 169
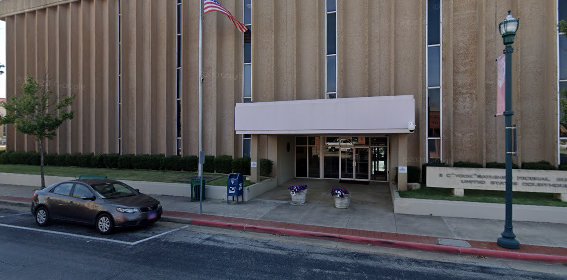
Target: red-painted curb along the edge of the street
375, 241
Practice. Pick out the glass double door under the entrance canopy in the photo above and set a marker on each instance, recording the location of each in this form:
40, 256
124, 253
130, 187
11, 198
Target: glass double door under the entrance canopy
355, 163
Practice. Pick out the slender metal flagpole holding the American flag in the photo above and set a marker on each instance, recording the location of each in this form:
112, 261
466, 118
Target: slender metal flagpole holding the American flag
201, 152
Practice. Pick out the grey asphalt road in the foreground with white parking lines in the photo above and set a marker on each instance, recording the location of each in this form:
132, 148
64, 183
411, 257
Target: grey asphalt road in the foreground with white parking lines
177, 251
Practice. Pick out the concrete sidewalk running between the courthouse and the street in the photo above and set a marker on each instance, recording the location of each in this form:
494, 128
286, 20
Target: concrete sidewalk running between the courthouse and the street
540, 241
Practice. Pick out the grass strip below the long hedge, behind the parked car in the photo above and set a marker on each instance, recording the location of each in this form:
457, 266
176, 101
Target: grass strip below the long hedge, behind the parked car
118, 174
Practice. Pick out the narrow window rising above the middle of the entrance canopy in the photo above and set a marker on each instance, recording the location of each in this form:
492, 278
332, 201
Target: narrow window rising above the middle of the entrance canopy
331, 49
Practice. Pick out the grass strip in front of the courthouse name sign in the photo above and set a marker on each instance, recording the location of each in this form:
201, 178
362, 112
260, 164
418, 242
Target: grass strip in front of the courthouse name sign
524, 198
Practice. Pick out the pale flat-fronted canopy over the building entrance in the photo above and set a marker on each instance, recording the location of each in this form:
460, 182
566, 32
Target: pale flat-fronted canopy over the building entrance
362, 115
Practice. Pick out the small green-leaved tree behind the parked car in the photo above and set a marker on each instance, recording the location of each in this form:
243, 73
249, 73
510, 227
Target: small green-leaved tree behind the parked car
37, 112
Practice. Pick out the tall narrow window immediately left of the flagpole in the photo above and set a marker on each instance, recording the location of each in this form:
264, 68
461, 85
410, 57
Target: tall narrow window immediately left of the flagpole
179, 76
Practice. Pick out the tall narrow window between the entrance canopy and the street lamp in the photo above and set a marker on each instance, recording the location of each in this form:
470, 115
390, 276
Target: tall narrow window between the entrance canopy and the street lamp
434, 81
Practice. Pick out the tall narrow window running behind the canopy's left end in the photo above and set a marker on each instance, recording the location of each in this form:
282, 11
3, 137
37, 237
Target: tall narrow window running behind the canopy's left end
247, 70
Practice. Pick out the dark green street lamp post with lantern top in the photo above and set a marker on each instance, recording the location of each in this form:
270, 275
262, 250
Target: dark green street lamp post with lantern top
508, 28
